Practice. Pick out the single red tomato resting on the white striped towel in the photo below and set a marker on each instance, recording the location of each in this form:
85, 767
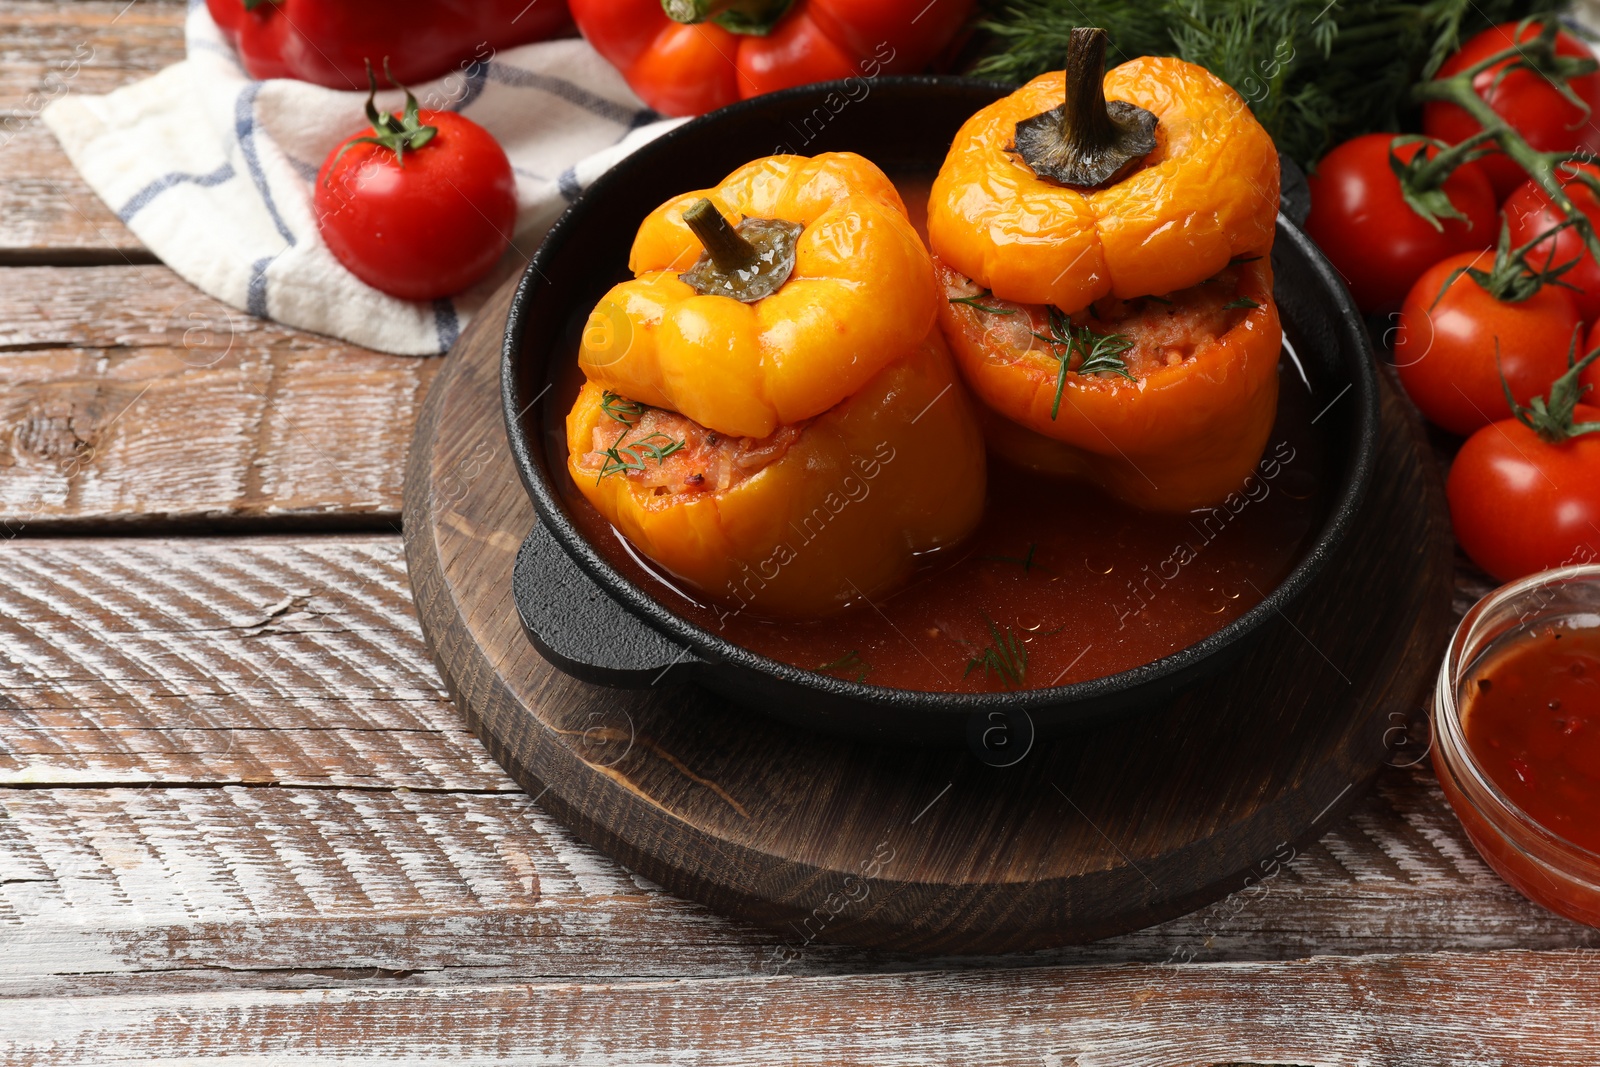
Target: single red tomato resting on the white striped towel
423, 226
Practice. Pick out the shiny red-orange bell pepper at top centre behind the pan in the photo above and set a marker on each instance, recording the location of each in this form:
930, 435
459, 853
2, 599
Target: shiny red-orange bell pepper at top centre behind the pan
689, 57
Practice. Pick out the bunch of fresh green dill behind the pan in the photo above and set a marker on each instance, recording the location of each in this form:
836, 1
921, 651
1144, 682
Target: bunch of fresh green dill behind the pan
1313, 71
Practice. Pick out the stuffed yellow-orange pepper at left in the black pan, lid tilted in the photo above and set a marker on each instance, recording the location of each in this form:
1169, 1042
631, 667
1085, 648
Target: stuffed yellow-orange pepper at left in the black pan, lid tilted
770, 410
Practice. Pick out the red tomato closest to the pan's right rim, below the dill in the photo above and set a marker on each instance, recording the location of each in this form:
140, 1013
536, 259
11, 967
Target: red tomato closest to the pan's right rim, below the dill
1367, 230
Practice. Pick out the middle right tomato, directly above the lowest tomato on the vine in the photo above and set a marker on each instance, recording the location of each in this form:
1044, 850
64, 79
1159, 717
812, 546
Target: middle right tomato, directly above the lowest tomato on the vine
1446, 351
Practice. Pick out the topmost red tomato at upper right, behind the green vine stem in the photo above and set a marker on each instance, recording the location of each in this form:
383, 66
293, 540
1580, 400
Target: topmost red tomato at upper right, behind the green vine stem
1524, 98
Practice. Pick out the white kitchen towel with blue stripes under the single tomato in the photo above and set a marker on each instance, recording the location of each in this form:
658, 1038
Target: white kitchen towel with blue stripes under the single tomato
215, 174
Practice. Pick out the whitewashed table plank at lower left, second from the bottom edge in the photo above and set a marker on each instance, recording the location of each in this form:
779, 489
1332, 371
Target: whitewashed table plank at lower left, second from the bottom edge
223, 887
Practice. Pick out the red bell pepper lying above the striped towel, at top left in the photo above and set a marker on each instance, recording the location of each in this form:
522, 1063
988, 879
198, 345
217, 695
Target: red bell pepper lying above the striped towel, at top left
329, 42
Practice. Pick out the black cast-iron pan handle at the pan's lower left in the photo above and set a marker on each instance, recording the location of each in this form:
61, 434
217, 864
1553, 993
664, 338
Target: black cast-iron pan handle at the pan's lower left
580, 629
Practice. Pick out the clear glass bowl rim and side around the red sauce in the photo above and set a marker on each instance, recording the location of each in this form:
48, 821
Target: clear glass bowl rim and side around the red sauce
1538, 863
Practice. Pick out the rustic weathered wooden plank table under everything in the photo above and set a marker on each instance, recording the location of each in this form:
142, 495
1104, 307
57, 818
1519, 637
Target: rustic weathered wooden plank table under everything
239, 817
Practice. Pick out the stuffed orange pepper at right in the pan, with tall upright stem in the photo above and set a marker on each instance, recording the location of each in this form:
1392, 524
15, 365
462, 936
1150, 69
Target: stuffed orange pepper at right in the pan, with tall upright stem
1105, 241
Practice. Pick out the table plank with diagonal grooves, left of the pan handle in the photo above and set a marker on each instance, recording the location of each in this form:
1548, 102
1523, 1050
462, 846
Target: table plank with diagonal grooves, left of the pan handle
215, 661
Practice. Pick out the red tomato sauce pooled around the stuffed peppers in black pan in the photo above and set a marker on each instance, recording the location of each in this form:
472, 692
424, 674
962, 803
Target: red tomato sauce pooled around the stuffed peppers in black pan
1058, 578
